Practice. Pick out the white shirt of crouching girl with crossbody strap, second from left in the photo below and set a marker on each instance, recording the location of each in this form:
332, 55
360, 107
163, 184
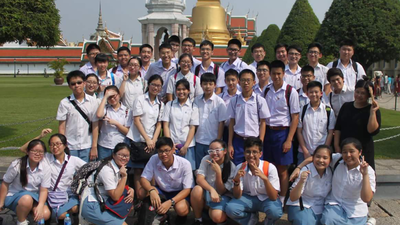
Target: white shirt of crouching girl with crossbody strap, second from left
74, 163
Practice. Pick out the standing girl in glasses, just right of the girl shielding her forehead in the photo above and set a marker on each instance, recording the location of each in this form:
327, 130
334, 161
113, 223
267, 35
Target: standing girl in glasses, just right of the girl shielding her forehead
146, 125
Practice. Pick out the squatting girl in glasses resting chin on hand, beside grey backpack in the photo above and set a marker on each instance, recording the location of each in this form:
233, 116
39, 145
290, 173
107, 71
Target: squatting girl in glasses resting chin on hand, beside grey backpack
113, 176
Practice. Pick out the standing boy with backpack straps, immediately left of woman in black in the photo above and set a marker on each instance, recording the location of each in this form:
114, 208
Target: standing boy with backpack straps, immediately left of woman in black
316, 123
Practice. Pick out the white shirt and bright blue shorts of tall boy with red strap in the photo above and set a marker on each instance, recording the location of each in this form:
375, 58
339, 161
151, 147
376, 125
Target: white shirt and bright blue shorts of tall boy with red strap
278, 124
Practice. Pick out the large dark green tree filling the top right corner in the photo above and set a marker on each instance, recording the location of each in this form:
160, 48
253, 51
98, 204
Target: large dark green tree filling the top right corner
374, 25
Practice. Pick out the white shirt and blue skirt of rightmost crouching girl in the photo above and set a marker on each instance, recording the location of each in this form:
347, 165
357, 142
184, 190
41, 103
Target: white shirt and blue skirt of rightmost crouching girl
344, 204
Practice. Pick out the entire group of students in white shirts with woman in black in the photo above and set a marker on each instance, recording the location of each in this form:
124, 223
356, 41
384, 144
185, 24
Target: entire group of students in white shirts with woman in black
235, 125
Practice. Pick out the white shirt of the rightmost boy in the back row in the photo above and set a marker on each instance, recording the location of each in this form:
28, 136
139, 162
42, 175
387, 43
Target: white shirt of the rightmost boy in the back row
349, 74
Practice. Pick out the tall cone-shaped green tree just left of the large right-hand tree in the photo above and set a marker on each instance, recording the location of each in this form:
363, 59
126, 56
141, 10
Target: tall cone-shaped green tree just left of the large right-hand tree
300, 27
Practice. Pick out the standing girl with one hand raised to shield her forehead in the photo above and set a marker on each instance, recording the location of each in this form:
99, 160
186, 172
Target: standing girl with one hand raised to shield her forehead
116, 120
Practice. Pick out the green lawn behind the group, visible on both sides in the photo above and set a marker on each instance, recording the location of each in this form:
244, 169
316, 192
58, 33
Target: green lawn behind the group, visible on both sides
32, 98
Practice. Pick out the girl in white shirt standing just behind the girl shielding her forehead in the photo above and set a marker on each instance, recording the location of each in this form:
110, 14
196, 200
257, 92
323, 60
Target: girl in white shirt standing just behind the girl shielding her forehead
133, 84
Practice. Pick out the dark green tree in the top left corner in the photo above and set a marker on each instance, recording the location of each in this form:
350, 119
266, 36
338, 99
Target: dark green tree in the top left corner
36, 20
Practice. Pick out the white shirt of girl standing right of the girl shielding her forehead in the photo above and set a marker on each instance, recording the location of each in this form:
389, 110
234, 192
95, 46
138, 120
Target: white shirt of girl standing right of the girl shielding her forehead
149, 114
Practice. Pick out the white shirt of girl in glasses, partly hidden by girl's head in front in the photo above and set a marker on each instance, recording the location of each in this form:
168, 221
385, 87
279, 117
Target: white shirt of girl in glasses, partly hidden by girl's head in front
195, 89
